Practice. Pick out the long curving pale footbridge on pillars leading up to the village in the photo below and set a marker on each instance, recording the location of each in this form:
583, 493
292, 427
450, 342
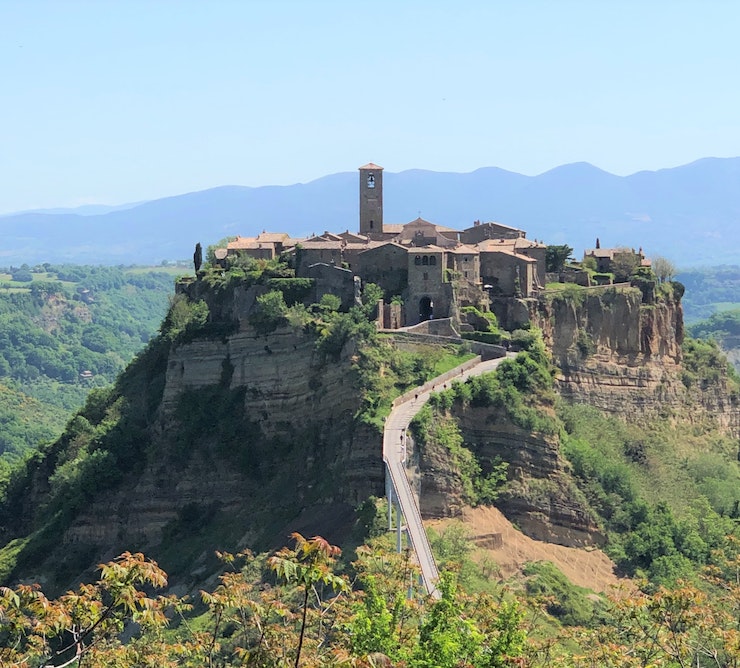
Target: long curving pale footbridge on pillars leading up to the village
398, 488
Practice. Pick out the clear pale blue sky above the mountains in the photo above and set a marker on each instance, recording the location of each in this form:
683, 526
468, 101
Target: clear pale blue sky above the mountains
112, 101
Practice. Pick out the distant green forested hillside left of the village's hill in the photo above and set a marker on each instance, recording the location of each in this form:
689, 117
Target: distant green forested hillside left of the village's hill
63, 330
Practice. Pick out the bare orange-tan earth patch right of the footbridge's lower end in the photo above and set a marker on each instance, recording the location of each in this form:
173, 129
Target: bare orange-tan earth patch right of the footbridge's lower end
586, 568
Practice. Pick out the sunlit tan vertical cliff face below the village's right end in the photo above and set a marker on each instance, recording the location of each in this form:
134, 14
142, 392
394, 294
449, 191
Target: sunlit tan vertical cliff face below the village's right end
624, 358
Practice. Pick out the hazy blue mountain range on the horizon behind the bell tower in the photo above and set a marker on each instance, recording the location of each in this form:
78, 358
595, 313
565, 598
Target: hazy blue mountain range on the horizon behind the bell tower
689, 214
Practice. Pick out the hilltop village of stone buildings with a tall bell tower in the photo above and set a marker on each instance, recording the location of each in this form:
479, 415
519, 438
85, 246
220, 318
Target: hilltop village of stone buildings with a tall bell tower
434, 269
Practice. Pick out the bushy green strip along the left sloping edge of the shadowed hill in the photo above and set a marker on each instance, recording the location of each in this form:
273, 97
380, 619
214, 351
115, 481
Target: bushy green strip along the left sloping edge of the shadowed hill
101, 445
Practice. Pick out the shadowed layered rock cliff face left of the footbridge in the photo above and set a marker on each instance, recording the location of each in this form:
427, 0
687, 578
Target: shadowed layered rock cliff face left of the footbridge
251, 431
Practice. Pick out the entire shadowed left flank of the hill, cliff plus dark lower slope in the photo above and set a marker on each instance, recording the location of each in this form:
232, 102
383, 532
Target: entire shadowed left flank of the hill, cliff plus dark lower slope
247, 436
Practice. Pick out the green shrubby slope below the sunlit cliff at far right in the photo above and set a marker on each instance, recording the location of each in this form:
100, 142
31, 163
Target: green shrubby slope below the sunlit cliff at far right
665, 504
